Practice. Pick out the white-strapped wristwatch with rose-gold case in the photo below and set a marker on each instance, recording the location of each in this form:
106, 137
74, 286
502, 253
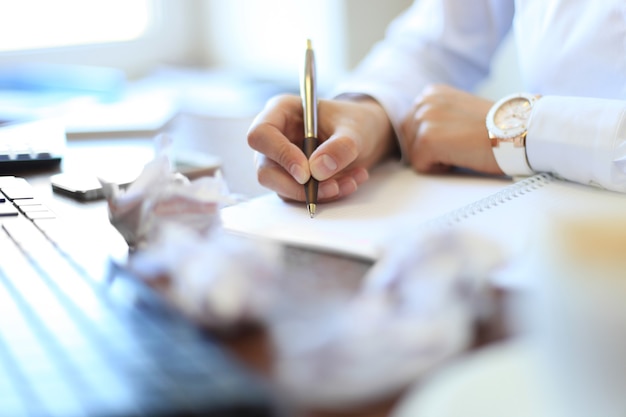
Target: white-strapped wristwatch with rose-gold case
507, 124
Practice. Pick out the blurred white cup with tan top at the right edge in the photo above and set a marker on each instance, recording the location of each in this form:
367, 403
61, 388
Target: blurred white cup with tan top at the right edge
577, 312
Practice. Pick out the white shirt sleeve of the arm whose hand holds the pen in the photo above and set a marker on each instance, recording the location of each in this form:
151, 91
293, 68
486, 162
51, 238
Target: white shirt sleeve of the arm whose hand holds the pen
434, 41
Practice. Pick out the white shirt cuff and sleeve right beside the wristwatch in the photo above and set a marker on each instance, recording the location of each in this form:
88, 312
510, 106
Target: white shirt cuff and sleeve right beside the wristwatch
579, 139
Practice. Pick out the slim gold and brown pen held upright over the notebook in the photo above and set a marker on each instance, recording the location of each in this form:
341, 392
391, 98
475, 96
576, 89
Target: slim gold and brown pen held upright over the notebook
309, 106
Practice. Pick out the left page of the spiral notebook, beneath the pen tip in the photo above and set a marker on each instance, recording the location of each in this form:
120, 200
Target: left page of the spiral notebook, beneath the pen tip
395, 200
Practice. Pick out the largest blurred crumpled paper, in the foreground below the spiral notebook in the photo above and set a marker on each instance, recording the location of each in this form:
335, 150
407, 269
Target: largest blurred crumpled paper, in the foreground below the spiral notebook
415, 310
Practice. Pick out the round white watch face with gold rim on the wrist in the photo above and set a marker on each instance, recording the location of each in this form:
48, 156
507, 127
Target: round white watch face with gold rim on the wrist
510, 118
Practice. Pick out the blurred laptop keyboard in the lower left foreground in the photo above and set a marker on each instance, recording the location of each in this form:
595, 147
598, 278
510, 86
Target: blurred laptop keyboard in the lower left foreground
70, 346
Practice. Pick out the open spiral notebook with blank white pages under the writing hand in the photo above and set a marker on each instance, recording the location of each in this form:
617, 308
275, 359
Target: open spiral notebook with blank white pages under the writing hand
396, 201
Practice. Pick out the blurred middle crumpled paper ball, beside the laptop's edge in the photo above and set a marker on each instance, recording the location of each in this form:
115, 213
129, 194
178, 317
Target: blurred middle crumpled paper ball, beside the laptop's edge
219, 280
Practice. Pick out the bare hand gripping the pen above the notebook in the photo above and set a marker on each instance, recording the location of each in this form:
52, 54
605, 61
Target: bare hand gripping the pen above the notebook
353, 135
